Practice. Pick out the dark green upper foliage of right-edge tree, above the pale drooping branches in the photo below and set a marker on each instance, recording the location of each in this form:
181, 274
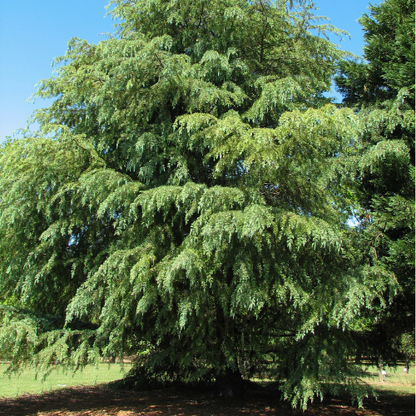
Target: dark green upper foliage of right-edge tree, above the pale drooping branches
389, 52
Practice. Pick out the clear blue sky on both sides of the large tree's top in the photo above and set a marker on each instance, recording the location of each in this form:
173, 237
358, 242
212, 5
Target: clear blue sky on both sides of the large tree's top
32, 33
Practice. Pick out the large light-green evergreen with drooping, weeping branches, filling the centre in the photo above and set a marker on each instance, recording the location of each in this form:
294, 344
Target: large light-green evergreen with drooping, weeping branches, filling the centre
181, 202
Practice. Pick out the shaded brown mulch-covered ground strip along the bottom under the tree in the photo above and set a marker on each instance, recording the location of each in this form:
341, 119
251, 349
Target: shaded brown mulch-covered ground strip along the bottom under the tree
99, 401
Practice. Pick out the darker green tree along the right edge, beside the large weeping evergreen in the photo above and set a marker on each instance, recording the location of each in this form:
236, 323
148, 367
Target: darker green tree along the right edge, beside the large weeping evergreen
383, 90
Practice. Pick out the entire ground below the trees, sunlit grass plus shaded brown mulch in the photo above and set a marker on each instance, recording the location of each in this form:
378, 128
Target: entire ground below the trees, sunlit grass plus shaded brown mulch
61, 396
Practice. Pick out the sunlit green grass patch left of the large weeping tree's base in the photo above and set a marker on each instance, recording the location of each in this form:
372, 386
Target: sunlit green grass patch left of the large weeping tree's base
26, 382
